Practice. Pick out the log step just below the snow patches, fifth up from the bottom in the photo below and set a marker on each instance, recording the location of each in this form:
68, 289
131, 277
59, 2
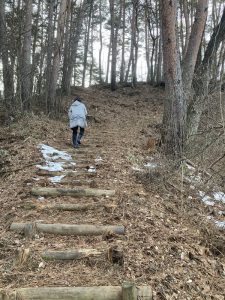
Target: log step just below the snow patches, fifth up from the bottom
78, 192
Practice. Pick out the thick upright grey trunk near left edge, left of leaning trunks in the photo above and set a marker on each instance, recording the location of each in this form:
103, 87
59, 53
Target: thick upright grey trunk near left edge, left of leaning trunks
26, 57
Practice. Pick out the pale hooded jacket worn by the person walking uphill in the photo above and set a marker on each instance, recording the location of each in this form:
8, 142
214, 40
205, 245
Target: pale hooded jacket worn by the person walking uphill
77, 114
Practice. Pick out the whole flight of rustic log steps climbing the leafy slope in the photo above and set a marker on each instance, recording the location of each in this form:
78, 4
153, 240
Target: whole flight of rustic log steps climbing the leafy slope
75, 184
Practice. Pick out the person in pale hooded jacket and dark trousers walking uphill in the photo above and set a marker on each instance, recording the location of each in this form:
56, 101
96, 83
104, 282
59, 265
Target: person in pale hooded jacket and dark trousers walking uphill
77, 115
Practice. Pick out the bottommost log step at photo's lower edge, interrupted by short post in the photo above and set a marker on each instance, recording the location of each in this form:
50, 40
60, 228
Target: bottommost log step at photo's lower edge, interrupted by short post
73, 293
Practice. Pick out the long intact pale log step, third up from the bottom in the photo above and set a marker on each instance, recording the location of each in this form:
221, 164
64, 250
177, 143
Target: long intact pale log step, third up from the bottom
66, 229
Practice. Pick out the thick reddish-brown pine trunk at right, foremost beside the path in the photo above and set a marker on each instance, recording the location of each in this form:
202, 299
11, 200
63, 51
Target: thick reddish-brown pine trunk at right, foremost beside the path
174, 116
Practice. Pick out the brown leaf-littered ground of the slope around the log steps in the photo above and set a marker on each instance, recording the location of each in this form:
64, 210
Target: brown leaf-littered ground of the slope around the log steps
170, 242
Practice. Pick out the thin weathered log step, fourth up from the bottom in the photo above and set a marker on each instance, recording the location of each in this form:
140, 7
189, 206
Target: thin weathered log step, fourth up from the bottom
65, 206
